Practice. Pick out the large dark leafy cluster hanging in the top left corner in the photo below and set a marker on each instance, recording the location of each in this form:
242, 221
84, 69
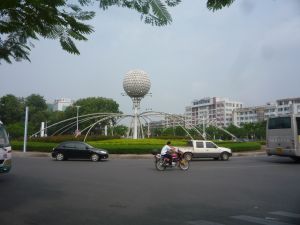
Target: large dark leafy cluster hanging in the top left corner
24, 20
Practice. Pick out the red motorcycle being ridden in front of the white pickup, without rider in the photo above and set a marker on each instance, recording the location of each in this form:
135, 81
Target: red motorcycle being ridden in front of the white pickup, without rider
161, 162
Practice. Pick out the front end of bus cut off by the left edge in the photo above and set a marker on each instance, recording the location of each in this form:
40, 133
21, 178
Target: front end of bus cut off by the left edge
5, 151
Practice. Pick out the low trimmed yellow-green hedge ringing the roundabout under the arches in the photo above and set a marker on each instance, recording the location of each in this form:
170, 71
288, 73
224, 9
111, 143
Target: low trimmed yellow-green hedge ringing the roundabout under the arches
129, 146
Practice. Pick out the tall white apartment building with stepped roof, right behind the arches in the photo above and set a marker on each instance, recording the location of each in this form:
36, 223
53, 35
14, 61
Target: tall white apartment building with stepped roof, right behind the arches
214, 110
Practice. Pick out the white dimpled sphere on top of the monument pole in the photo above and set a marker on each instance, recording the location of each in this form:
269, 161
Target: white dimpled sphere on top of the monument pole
136, 83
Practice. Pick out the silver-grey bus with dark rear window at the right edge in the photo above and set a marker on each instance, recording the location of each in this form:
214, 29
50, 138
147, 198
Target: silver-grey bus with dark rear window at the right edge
283, 136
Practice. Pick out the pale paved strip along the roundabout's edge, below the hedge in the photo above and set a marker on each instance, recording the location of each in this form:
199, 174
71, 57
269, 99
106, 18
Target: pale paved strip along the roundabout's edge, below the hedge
128, 156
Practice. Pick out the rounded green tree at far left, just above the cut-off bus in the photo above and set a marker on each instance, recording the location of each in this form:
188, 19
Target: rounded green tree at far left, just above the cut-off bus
11, 109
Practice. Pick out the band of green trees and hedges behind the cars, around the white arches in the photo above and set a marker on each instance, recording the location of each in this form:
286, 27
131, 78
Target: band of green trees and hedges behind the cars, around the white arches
249, 136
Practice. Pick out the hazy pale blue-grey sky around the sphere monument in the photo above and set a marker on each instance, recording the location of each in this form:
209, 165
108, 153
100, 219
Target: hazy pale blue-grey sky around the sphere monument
248, 52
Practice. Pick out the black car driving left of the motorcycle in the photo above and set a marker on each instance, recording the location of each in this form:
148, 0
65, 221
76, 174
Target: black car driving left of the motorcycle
78, 150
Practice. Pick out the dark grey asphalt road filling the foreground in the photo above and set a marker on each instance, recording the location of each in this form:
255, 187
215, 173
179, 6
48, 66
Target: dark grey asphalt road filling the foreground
244, 190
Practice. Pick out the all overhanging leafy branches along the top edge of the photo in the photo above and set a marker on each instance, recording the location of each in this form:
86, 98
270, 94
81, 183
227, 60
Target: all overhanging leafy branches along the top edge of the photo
22, 21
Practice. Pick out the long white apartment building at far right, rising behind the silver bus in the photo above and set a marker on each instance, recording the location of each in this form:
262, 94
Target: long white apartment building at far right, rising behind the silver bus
254, 114
